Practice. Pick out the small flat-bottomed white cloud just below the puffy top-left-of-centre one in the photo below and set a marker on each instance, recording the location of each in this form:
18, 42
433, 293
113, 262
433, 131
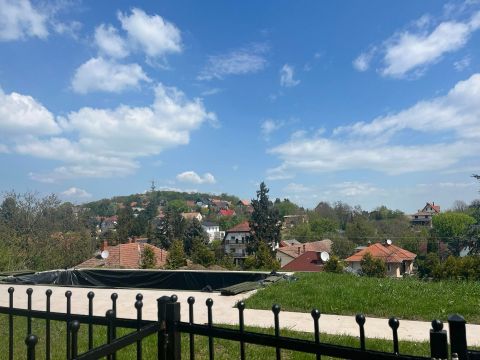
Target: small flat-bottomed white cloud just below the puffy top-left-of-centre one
98, 74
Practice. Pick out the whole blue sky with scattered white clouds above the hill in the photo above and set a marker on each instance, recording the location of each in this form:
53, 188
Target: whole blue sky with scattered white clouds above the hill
365, 102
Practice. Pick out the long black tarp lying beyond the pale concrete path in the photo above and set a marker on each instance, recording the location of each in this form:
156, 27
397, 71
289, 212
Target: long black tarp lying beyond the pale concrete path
146, 279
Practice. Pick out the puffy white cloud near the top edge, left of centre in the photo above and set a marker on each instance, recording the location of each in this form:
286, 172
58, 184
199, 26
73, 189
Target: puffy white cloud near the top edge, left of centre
154, 35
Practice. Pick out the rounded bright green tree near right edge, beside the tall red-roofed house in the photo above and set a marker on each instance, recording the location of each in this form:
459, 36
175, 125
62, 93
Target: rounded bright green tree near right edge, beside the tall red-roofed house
452, 228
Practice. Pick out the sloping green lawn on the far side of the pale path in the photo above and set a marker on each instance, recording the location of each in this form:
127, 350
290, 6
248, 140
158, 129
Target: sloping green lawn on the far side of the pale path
346, 294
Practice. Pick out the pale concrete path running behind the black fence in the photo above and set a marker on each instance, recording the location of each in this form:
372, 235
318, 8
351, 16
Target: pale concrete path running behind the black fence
223, 311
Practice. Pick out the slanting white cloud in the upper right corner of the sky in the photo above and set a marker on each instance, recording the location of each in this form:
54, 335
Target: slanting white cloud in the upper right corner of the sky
411, 51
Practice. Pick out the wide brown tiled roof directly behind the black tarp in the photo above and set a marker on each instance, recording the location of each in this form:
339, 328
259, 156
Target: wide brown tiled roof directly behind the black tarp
125, 256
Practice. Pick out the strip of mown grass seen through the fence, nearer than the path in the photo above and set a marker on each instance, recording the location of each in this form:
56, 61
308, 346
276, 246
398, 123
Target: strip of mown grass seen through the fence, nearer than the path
224, 349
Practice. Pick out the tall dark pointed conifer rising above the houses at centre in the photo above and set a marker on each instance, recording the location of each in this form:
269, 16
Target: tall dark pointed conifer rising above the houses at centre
265, 222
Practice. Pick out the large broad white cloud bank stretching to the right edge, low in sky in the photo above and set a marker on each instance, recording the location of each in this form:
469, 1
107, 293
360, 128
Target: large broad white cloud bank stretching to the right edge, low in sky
376, 145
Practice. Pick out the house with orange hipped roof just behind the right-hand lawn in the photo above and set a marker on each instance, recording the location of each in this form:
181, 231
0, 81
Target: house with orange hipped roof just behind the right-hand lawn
399, 261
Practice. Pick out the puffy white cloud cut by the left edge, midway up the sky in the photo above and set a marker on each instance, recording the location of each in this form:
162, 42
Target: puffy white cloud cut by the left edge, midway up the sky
22, 114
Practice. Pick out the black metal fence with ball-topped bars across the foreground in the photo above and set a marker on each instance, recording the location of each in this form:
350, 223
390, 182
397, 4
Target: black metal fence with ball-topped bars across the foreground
168, 329
